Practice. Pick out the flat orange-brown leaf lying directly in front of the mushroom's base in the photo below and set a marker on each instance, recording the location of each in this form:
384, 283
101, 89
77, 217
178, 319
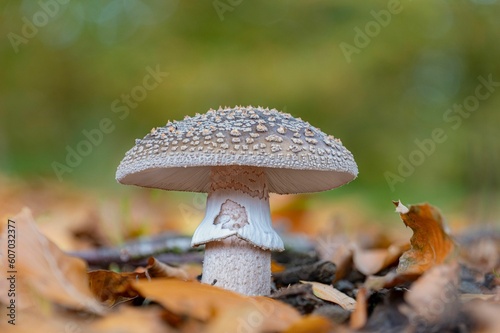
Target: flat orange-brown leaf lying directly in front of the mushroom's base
209, 303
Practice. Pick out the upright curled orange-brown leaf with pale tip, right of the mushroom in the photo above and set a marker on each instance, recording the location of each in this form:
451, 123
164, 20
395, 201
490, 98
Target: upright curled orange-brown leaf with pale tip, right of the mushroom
430, 243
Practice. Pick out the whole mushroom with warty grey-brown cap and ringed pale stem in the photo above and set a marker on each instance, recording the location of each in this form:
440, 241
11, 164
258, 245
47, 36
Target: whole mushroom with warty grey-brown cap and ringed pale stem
238, 156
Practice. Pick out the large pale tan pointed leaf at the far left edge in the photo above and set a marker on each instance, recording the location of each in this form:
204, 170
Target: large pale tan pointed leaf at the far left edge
47, 271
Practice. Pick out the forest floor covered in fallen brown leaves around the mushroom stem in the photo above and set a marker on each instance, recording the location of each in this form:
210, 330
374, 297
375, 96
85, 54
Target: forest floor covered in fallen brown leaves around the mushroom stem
80, 261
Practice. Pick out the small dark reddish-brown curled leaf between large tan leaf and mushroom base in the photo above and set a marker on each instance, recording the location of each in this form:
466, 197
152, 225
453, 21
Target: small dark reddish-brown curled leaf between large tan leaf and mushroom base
112, 288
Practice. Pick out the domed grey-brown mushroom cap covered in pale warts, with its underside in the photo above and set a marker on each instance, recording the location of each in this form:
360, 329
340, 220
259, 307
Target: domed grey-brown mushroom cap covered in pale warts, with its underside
297, 157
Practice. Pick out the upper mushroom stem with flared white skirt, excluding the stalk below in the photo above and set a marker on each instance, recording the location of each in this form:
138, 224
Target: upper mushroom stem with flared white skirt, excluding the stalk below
238, 204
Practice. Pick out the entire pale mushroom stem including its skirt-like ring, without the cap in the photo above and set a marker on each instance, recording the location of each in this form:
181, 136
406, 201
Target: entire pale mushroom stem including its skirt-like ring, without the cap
237, 231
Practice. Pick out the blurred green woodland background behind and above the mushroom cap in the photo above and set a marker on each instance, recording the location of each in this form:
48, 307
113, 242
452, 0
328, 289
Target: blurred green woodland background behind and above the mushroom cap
379, 75
